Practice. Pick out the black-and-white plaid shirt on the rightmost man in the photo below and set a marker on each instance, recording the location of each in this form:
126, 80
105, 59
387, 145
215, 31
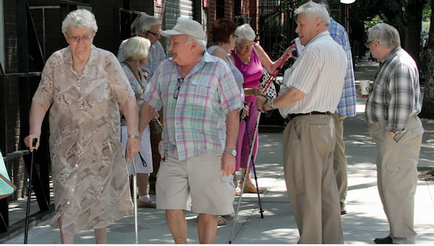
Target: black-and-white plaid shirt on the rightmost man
396, 91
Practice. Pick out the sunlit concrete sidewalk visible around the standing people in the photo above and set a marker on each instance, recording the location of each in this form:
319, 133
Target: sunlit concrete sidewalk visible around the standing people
365, 219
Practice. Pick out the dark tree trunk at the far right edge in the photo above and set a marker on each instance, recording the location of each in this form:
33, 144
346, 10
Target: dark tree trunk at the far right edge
428, 99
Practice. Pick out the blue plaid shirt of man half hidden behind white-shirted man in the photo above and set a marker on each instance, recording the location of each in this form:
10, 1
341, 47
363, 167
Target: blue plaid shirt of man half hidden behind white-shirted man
347, 104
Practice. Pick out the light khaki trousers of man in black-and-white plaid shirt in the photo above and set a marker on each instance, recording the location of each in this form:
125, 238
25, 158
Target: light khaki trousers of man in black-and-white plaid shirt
397, 175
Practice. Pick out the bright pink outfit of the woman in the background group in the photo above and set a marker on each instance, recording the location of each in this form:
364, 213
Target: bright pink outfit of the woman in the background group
252, 73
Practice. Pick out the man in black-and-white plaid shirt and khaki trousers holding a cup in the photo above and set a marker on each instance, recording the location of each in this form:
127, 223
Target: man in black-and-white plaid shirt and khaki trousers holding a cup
391, 111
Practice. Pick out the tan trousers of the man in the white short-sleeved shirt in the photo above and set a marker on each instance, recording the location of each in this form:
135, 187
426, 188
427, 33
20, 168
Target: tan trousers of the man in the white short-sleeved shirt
308, 145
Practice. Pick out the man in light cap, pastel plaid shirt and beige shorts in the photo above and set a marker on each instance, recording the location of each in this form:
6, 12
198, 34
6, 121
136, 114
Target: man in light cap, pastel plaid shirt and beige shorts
200, 99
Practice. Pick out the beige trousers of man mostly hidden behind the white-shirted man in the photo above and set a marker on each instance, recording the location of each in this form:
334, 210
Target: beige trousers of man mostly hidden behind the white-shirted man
340, 160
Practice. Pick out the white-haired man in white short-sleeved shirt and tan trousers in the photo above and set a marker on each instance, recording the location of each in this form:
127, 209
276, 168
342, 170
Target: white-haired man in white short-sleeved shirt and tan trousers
310, 93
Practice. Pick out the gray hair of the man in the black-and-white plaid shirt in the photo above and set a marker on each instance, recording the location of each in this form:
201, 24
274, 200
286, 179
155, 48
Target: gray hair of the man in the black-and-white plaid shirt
385, 34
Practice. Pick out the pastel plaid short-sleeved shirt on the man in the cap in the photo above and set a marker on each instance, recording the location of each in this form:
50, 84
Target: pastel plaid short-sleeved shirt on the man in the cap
195, 122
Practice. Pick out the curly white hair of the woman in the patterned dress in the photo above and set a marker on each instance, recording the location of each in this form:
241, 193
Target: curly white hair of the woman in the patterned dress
79, 18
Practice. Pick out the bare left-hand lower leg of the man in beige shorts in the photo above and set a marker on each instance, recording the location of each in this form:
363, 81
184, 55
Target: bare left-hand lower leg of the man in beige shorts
177, 225
